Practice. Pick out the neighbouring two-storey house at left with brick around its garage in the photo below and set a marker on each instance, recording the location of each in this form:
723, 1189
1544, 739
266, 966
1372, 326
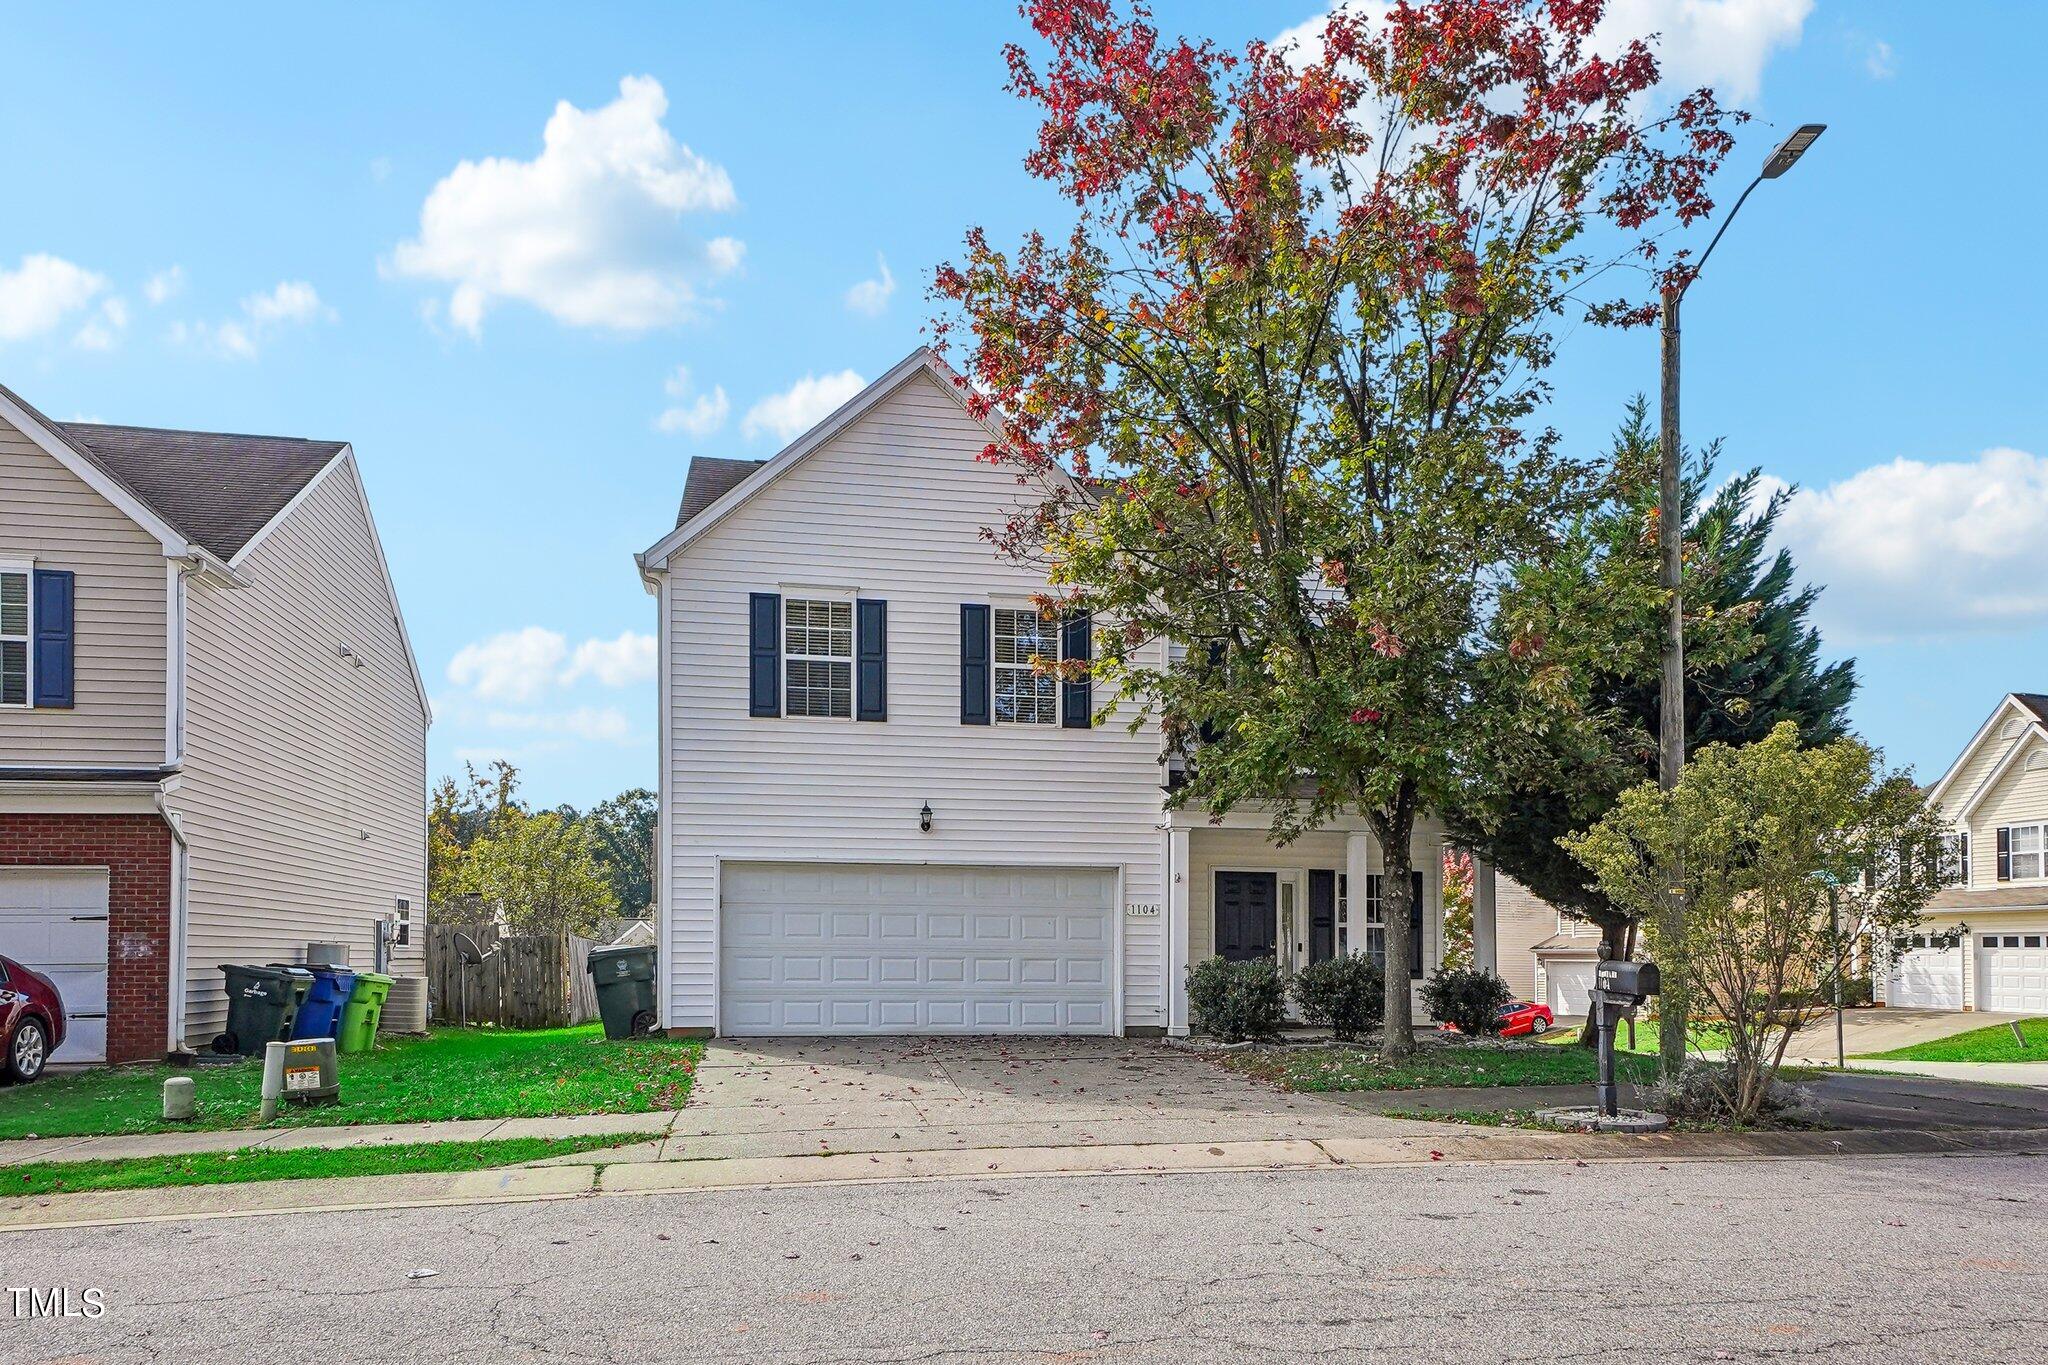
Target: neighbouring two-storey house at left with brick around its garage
212, 723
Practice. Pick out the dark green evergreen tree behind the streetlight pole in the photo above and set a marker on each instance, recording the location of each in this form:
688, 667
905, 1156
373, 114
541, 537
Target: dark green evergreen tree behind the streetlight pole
1752, 662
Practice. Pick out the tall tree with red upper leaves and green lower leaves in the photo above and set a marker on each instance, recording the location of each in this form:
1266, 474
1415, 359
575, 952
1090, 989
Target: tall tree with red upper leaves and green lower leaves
1275, 392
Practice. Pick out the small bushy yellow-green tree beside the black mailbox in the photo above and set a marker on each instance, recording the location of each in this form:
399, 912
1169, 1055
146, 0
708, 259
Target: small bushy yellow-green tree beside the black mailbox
1770, 844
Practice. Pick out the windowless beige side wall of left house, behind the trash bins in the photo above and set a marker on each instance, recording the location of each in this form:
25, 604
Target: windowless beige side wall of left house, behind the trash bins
304, 791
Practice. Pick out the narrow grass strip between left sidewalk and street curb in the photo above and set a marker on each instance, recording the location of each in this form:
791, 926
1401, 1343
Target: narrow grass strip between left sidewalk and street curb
67, 1178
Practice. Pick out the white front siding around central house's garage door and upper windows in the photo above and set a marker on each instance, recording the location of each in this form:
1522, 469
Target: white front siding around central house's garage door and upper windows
892, 509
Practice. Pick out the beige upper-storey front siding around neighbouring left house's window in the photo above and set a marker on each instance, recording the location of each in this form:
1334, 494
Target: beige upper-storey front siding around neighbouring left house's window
50, 517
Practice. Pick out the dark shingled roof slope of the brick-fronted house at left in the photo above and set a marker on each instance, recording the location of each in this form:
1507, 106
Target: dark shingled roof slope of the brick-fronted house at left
218, 488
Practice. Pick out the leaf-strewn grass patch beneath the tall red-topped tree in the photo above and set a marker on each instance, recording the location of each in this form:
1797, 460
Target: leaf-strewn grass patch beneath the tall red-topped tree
1471, 1065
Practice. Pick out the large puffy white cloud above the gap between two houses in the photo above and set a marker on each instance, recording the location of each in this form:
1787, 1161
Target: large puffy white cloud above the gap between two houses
591, 230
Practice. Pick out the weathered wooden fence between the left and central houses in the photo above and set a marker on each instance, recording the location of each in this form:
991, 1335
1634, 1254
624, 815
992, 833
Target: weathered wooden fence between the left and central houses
527, 981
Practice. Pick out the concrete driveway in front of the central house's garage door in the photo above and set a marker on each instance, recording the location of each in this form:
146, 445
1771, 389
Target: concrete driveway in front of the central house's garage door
787, 1098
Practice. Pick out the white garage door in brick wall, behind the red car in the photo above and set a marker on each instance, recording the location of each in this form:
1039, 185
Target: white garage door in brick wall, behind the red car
56, 922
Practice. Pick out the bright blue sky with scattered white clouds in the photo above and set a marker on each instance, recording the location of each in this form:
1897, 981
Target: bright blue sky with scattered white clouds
253, 218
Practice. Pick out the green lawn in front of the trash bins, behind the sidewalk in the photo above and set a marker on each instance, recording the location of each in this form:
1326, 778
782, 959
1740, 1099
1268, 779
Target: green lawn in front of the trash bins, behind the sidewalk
450, 1075
